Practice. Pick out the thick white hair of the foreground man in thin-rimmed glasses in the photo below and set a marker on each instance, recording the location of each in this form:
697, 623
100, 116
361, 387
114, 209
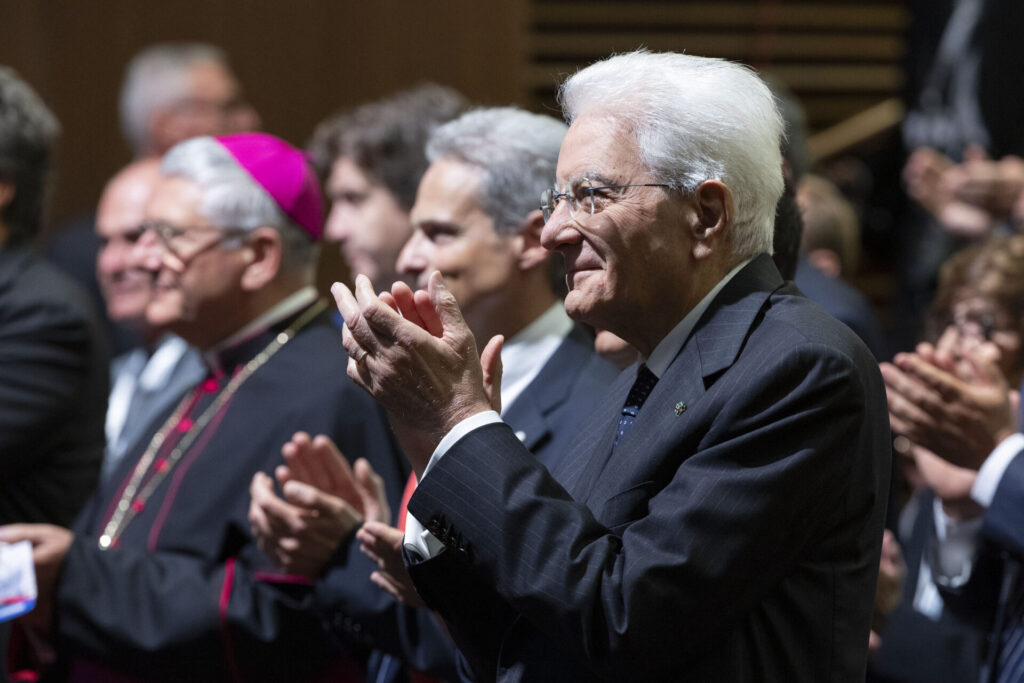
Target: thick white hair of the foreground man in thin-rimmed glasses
694, 119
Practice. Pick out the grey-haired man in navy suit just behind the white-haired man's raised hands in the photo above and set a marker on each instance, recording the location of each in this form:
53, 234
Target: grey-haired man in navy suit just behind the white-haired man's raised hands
476, 220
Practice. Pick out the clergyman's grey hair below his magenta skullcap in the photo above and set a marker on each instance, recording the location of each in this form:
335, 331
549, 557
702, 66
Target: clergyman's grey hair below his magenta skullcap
231, 198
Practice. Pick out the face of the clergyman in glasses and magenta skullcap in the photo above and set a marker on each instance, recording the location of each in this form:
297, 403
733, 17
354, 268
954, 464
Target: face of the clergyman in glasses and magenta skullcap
197, 268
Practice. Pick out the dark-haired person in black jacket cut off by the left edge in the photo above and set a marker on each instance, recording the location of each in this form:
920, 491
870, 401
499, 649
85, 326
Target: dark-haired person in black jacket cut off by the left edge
54, 360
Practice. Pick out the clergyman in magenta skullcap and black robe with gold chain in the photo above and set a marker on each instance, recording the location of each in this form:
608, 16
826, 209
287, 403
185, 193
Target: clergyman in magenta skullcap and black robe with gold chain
161, 579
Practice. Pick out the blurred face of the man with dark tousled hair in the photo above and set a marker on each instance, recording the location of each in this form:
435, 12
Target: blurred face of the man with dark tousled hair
367, 222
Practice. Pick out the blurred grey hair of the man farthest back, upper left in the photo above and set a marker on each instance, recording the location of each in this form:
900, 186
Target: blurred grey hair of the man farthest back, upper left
157, 78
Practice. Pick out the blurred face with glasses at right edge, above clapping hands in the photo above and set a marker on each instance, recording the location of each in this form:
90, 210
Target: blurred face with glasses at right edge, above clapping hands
982, 328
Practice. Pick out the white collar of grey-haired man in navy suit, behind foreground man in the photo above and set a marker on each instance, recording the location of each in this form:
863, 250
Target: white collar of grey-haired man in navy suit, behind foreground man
526, 355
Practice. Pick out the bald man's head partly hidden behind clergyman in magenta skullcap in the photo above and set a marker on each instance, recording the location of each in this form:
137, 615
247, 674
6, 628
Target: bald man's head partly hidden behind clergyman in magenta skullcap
122, 206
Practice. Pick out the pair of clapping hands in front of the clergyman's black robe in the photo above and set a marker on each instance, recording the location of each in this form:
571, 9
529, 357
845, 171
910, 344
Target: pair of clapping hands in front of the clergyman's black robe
302, 531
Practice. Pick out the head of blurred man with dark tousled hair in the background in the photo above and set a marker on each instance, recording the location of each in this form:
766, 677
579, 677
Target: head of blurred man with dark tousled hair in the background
372, 159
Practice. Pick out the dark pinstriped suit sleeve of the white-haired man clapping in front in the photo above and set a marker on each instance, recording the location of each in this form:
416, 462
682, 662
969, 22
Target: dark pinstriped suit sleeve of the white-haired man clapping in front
766, 480
